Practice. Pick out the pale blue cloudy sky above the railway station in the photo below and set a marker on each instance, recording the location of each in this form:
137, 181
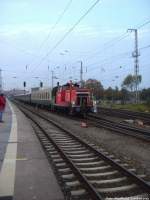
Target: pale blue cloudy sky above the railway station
25, 26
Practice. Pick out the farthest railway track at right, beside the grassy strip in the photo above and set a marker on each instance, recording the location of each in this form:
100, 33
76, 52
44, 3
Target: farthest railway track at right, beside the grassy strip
145, 117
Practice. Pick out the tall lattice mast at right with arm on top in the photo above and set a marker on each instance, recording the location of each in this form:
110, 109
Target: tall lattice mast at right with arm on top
135, 55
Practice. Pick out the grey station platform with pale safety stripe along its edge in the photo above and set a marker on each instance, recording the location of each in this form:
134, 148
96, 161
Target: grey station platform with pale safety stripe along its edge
25, 172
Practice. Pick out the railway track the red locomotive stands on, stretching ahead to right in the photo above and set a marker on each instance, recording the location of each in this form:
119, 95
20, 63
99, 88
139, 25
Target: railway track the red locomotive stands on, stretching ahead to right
139, 133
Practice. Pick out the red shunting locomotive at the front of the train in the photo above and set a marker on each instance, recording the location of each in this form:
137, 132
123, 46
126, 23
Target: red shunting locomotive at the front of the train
73, 98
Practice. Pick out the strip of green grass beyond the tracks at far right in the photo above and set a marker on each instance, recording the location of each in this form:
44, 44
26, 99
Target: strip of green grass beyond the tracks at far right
134, 107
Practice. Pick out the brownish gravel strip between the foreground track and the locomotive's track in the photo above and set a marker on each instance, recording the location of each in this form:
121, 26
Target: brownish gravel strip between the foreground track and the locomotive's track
129, 149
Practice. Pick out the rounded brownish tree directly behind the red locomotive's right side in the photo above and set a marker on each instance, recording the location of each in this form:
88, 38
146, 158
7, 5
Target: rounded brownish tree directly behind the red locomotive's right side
96, 87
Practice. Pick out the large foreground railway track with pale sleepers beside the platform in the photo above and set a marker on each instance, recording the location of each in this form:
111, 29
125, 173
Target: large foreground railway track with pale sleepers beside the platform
84, 171
